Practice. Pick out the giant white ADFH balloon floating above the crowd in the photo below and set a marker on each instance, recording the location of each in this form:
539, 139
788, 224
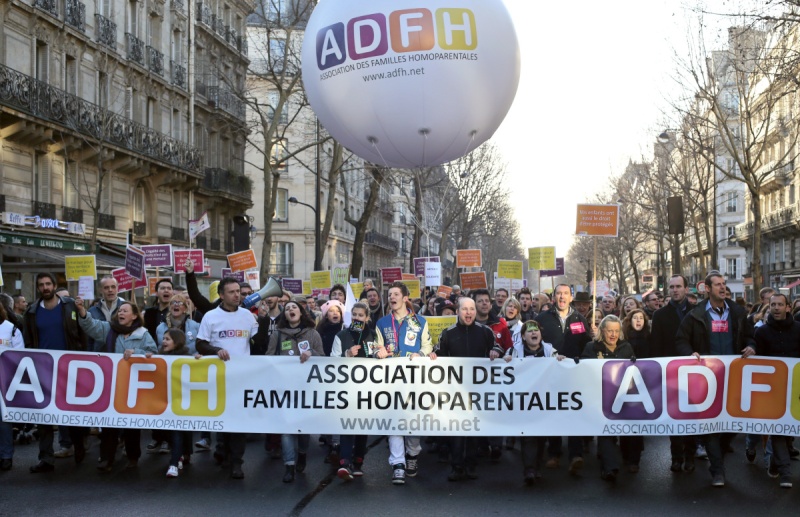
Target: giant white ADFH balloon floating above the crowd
410, 83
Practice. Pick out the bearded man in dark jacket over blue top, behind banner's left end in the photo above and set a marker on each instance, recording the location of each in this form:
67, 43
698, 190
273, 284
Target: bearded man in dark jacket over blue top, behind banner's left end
52, 324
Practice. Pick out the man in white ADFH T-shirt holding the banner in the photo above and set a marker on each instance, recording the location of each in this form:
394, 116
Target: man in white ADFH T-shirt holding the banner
226, 332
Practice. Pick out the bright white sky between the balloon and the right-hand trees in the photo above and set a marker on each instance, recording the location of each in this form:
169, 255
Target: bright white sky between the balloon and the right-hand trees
595, 76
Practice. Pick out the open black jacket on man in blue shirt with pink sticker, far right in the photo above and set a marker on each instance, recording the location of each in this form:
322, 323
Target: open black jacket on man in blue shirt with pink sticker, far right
693, 333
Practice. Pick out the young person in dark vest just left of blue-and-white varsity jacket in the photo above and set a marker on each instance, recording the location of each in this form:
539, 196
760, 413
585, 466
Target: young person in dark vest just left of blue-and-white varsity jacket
359, 340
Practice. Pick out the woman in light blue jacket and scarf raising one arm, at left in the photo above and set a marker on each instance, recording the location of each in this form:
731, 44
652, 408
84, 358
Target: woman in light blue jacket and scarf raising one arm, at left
124, 334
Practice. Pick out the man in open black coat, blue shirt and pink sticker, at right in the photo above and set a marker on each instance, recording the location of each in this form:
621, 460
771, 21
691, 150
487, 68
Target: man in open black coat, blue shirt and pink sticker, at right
716, 327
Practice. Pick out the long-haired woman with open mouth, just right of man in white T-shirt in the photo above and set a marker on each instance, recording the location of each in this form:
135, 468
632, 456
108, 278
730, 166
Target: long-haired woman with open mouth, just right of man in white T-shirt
294, 335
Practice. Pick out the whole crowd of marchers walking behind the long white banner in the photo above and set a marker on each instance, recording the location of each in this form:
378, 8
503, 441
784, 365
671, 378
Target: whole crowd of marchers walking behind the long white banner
179, 320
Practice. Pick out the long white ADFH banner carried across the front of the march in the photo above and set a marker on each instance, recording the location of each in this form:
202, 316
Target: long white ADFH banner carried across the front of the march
478, 397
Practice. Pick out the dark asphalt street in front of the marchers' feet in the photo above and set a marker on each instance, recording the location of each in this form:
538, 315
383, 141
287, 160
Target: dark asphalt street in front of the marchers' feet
206, 490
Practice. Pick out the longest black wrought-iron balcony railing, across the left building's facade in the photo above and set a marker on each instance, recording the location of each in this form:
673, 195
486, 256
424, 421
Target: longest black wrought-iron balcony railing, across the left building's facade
41, 100
